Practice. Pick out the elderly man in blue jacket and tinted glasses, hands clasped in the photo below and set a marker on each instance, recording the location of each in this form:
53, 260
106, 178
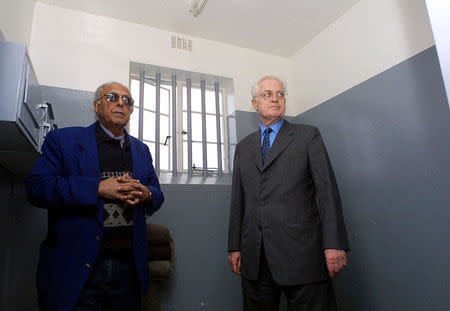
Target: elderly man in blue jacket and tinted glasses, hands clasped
98, 185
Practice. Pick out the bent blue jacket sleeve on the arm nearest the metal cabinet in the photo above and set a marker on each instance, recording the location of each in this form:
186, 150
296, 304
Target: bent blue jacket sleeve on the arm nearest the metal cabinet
47, 186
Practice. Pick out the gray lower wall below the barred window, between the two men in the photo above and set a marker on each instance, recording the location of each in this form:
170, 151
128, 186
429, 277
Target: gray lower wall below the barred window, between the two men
197, 216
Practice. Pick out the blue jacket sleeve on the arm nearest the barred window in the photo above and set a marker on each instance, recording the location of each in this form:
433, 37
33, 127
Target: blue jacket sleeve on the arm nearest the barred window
152, 183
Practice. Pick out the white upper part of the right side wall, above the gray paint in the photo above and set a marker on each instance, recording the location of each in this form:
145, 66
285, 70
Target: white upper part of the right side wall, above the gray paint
372, 36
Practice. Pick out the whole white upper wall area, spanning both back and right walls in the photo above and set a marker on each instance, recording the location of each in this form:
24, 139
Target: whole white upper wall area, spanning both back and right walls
75, 50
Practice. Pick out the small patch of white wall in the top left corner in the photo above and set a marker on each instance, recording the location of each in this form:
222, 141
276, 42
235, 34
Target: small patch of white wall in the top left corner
16, 18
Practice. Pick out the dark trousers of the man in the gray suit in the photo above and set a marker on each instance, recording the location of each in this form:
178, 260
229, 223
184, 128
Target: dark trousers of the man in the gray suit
264, 294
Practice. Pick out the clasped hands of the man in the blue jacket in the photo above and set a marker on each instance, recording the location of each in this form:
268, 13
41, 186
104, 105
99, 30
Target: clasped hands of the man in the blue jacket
125, 189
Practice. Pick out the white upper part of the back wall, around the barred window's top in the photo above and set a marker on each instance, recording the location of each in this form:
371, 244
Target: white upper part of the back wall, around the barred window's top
71, 49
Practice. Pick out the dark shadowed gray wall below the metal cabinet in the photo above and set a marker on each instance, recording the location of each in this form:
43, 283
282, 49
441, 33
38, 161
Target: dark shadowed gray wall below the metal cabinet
23, 228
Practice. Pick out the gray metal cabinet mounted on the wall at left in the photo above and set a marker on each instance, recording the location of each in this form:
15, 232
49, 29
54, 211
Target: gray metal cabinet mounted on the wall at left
23, 112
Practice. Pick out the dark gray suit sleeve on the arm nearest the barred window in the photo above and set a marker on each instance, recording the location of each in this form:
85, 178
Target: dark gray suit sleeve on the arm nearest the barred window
237, 207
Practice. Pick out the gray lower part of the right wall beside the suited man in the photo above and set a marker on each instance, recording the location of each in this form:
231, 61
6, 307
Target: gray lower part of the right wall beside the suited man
389, 142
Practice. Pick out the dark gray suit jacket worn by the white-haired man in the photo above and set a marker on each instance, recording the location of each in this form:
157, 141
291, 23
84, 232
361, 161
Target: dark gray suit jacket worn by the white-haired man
292, 203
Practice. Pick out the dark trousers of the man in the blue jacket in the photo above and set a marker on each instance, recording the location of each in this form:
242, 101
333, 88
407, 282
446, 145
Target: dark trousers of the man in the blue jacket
113, 285
